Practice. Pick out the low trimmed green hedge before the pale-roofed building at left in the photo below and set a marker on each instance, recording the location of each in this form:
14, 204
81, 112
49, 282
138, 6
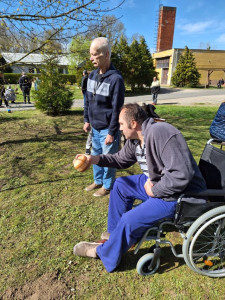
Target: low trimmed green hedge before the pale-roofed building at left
13, 78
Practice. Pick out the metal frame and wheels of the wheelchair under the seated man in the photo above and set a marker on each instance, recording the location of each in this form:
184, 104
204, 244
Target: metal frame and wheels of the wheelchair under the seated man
203, 238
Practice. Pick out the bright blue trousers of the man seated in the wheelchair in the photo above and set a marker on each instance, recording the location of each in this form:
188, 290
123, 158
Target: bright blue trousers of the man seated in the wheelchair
126, 225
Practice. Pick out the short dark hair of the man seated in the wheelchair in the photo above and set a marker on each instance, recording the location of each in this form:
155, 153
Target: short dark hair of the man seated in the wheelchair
133, 111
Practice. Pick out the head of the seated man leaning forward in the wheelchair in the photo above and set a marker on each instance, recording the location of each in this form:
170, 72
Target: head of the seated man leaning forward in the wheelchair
130, 119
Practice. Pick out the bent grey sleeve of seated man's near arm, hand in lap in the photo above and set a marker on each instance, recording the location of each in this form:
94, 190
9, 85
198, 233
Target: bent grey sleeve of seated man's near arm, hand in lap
178, 169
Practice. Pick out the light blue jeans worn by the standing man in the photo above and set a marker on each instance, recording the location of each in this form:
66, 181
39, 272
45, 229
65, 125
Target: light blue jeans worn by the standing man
104, 176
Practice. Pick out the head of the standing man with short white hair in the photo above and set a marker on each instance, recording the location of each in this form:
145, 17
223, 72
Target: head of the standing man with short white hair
100, 53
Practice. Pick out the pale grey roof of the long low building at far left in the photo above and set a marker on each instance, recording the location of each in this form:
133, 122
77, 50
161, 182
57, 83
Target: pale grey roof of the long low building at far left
34, 58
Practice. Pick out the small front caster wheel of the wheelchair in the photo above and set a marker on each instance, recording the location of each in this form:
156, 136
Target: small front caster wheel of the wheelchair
143, 265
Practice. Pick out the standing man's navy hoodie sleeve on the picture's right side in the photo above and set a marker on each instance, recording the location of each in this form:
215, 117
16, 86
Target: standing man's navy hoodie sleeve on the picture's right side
117, 102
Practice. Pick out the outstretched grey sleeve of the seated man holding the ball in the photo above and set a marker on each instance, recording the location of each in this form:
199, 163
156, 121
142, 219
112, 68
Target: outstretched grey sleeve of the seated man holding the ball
120, 160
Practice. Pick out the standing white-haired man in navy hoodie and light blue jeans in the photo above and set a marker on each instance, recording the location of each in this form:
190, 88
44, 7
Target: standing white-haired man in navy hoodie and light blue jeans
104, 98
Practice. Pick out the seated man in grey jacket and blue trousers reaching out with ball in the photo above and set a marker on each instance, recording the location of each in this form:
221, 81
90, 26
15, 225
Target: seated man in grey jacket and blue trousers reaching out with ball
168, 170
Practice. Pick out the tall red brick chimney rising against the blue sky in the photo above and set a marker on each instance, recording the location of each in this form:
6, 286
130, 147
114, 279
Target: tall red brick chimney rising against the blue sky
166, 28
